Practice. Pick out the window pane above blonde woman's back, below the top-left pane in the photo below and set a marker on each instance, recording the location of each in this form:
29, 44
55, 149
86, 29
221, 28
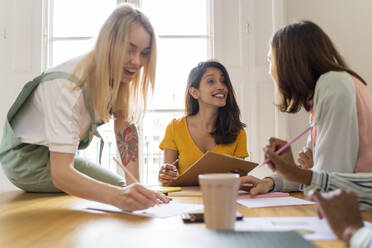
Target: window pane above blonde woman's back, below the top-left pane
67, 49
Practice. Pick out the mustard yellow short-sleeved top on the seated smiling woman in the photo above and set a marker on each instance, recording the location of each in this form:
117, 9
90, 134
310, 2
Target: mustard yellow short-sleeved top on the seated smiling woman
177, 137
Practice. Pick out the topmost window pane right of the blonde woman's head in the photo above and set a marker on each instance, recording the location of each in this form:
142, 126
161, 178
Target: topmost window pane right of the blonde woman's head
177, 17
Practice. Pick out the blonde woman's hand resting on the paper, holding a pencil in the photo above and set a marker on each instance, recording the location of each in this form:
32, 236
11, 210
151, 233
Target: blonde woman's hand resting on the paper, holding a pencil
138, 197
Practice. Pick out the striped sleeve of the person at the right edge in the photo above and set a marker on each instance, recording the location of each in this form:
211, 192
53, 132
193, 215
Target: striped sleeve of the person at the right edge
359, 183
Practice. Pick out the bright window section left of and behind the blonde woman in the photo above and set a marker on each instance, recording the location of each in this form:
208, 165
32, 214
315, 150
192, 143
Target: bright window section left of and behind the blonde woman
72, 31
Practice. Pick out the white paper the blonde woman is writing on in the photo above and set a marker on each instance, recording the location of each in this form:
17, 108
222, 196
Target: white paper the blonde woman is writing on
158, 211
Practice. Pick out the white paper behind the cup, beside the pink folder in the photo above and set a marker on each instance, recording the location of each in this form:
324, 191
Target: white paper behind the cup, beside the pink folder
261, 202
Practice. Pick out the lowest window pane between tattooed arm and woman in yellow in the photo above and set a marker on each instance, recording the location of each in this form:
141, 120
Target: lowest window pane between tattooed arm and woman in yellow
154, 125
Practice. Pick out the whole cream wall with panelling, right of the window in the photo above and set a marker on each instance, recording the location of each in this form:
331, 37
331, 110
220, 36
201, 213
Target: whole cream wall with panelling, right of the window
348, 23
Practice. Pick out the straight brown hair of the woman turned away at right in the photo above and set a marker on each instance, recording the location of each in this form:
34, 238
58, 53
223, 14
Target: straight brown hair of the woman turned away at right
303, 52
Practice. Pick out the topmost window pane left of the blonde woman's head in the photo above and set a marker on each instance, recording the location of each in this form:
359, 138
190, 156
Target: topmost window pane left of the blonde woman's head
74, 18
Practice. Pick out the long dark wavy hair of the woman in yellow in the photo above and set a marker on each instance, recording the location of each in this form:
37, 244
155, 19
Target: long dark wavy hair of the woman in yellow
228, 124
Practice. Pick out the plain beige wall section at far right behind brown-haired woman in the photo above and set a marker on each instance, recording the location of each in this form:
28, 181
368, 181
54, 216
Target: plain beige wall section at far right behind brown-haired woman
349, 25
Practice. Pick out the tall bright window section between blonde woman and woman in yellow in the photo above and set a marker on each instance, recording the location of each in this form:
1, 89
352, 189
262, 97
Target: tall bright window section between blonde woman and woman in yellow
182, 43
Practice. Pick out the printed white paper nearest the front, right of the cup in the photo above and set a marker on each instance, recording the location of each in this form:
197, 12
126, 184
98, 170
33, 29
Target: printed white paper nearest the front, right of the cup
311, 228
